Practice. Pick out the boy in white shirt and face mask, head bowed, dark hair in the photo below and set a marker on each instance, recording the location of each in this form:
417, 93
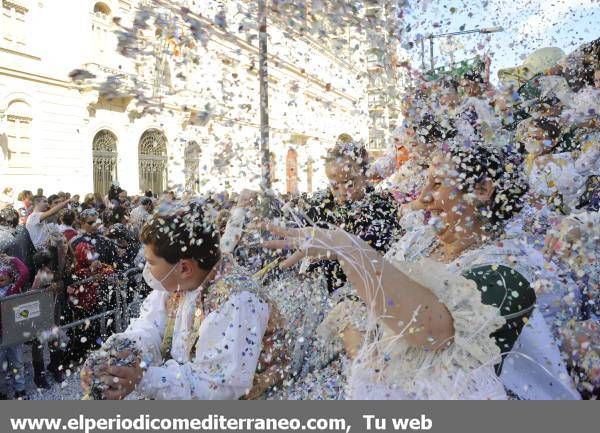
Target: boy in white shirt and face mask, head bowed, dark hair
201, 329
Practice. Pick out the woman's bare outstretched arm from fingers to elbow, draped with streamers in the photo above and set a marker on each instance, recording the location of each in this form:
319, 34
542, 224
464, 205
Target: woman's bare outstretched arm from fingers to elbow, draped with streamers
402, 304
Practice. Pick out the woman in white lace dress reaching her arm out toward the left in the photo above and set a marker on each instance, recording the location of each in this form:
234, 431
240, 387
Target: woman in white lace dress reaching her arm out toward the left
436, 328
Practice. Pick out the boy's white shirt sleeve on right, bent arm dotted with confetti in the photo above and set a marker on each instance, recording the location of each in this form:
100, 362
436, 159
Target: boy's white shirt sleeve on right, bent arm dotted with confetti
227, 351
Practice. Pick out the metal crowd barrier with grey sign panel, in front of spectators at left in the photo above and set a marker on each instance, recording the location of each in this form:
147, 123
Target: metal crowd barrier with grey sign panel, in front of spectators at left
26, 315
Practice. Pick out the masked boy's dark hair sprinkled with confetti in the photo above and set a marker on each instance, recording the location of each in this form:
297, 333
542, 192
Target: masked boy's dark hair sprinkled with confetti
185, 233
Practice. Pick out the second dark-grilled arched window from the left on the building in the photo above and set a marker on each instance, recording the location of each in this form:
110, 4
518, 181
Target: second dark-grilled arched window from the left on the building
153, 161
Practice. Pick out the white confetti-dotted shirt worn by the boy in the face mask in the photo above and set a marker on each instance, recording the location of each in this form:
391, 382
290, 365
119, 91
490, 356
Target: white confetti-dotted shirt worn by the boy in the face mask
226, 353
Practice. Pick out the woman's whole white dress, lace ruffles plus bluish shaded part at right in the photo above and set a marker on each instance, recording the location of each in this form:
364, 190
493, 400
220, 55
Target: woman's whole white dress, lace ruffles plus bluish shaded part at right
533, 370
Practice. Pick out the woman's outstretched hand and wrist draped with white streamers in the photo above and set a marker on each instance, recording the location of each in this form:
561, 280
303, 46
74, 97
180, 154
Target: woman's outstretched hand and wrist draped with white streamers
309, 242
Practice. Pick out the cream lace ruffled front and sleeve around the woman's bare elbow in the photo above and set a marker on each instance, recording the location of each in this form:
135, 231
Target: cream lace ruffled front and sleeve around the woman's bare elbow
391, 369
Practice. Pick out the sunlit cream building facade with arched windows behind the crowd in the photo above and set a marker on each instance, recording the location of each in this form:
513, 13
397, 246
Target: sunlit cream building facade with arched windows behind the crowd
93, 92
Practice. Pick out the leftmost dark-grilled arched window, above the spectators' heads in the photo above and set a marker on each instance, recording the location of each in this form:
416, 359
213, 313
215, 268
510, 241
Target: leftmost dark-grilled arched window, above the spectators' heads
104, 148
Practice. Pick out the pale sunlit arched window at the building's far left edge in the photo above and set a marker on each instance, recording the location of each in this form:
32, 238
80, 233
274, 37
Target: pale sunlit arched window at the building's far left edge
18, 134
